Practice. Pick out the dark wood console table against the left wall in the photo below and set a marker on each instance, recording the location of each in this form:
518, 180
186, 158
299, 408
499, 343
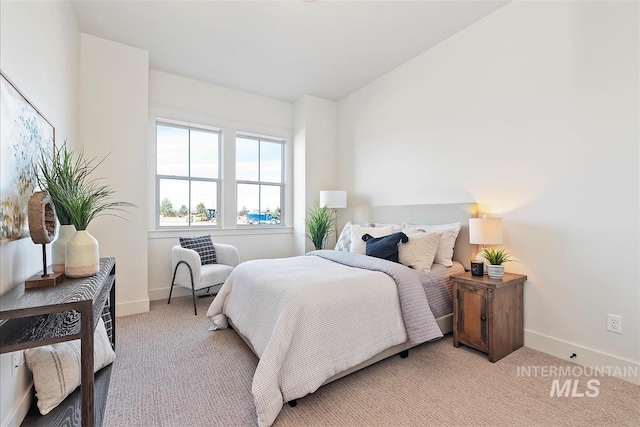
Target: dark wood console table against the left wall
68, 311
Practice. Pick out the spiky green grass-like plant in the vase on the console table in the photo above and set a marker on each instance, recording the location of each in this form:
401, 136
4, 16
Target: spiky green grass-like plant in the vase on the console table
77, 196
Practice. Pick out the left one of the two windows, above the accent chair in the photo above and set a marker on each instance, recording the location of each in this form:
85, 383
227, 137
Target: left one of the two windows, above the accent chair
187, 175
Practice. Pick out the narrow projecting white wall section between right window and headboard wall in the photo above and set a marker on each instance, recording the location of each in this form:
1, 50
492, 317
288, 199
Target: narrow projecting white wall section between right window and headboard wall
315, 166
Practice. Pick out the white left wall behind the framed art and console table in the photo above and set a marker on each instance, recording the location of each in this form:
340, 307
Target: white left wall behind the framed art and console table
40, 53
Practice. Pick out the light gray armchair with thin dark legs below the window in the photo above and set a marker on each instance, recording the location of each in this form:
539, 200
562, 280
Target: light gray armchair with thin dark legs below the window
189, 273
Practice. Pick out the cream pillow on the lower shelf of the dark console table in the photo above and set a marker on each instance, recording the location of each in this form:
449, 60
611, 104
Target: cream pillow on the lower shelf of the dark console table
56, 367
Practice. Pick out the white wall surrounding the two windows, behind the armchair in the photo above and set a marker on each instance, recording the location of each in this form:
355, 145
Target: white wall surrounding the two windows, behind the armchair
190, 101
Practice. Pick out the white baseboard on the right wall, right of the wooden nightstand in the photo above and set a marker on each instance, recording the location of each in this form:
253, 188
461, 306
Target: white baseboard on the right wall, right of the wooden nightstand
627, 370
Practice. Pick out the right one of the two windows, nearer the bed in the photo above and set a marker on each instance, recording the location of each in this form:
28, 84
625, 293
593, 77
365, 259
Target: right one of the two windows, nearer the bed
259, 180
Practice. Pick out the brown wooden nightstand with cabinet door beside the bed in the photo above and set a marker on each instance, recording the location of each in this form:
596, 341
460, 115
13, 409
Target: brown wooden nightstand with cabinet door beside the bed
488, 314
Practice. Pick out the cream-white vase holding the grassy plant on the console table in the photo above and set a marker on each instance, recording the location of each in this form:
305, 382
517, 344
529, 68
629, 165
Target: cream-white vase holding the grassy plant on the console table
82, 257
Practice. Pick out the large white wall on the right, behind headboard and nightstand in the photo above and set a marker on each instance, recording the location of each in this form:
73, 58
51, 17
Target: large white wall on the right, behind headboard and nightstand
533, 113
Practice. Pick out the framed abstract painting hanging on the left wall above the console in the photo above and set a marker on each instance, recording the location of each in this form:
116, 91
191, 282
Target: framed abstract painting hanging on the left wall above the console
24, 131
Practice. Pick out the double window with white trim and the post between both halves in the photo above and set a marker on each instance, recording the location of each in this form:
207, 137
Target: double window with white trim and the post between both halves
195, 188
